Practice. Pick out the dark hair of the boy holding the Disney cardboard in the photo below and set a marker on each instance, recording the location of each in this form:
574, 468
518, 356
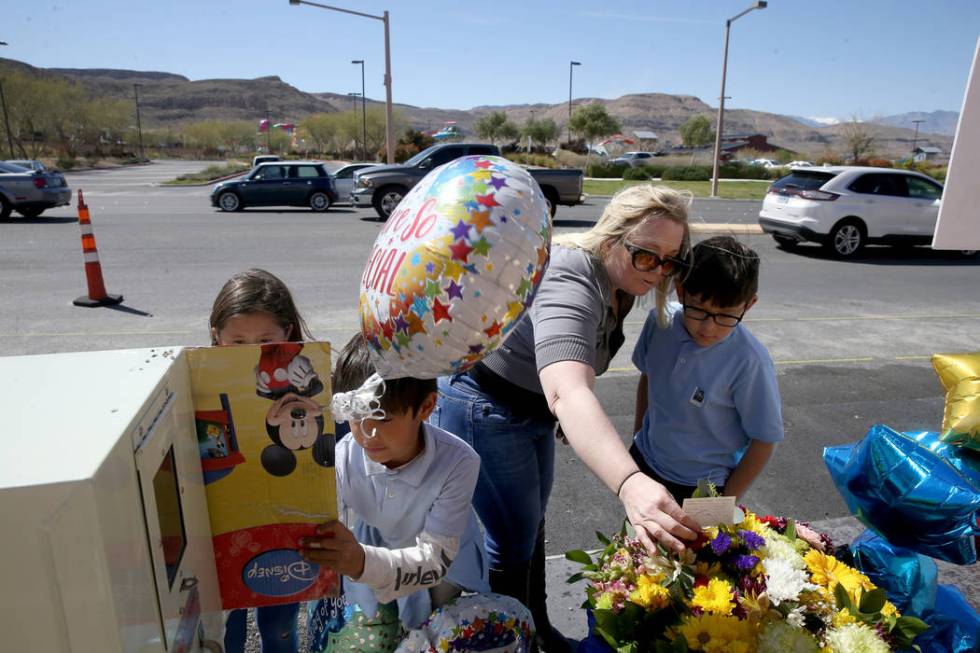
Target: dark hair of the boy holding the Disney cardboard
354, 366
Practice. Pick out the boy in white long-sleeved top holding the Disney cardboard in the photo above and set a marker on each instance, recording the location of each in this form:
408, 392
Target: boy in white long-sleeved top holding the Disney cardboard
413, 539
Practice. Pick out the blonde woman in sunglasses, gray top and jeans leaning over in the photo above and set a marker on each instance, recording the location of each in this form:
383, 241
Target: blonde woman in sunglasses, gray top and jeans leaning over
507, 407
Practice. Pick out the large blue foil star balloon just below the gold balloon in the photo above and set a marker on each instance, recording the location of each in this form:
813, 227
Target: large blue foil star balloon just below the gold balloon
915, 494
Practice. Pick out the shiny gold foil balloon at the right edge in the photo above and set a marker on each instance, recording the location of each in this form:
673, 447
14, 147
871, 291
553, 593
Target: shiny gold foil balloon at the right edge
960, 376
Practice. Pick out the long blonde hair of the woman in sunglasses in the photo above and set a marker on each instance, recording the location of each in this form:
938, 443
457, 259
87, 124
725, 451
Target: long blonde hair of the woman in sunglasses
626, 211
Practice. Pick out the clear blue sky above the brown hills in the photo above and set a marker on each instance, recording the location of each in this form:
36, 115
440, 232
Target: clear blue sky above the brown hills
833, 58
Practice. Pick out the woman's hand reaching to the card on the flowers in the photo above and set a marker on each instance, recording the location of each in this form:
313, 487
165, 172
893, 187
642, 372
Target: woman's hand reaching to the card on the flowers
655, 515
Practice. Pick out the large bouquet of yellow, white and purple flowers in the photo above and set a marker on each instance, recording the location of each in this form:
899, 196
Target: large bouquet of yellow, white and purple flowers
763, 585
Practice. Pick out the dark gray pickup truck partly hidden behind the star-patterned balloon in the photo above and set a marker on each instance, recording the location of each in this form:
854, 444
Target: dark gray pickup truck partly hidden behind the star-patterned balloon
383, 187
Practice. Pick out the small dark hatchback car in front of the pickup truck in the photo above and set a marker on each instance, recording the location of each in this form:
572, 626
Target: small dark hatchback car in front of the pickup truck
281, 183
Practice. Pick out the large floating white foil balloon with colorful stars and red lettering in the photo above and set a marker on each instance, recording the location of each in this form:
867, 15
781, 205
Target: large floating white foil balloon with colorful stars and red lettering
455, 267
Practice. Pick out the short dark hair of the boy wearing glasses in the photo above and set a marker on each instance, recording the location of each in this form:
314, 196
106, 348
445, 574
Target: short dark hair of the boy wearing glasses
724, 272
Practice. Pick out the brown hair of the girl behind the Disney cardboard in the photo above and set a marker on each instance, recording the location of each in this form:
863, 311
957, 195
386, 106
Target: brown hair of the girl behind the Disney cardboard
254, 291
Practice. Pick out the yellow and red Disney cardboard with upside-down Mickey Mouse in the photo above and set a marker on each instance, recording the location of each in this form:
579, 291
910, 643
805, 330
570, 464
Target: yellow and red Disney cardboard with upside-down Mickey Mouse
266, 440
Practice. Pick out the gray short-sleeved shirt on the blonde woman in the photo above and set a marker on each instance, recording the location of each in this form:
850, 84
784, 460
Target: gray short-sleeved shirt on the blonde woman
571, 318
